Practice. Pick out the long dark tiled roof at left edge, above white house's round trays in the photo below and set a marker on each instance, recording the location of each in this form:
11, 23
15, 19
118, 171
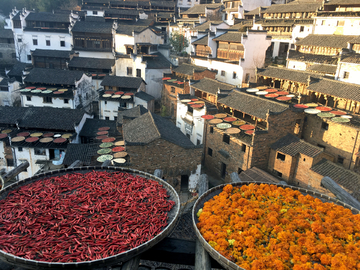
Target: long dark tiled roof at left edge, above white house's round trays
41, 117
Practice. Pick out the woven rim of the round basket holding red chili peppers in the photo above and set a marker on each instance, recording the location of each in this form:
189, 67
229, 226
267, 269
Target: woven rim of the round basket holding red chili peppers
111, 260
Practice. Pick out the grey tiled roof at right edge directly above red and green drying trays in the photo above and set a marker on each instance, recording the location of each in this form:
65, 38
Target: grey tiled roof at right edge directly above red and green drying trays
336, 88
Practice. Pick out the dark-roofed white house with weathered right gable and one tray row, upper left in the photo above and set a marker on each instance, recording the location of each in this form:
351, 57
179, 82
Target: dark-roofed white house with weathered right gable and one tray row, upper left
57, 88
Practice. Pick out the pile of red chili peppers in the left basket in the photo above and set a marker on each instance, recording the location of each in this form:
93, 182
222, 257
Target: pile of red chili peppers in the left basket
82, 217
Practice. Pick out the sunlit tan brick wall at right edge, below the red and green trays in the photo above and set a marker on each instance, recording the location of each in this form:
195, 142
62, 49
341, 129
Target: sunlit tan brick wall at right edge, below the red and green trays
338, 139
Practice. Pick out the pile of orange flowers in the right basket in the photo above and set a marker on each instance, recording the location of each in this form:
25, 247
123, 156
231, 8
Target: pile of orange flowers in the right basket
269, 227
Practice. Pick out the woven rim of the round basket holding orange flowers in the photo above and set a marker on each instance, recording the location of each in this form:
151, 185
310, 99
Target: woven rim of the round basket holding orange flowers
224, 262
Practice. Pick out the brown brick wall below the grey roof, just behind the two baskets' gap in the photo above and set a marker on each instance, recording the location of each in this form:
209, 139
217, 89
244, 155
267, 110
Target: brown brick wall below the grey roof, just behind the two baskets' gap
161, 154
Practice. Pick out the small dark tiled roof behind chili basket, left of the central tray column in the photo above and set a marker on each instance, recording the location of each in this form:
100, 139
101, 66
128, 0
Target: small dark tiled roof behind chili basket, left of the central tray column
82, 152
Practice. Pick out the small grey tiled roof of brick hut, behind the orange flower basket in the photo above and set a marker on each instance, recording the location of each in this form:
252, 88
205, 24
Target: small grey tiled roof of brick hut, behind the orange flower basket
292, 145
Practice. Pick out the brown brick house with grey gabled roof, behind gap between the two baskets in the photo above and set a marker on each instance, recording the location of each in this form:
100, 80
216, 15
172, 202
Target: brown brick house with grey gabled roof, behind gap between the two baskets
154, 142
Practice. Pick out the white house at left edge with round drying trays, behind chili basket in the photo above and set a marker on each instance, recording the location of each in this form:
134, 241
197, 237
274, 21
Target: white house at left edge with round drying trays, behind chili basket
38, 135
